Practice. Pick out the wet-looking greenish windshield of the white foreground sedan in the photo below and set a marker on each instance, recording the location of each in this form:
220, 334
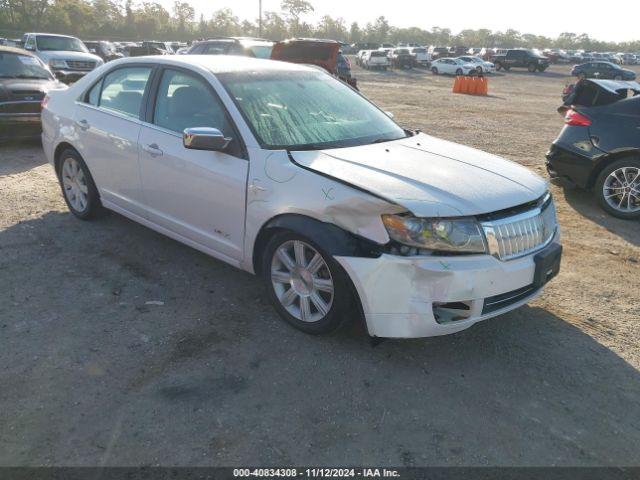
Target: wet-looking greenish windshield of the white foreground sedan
306, 111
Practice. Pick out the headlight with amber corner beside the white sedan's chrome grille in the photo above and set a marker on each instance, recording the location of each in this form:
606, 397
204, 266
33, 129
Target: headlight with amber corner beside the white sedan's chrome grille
436, 234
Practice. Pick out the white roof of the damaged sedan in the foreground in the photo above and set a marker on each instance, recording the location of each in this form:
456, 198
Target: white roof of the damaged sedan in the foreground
218, 63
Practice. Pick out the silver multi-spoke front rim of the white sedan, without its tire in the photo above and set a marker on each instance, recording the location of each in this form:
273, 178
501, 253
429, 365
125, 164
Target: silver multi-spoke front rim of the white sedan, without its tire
302, 281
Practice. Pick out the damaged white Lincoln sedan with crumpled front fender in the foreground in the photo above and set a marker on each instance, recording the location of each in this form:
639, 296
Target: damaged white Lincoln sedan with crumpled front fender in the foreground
286, 172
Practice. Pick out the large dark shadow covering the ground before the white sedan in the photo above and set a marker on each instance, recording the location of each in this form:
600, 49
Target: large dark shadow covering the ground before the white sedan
171, 357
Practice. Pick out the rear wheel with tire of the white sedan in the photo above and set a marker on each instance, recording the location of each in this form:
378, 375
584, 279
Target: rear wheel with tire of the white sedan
78, 188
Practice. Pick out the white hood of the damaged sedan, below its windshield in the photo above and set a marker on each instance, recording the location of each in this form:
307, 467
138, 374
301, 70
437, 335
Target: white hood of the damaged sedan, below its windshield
429, 176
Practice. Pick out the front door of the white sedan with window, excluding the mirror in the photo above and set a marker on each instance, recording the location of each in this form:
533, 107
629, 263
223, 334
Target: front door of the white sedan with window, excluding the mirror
199, 195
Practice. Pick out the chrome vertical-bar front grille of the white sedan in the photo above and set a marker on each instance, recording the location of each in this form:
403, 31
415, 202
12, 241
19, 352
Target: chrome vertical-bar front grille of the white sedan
521, 234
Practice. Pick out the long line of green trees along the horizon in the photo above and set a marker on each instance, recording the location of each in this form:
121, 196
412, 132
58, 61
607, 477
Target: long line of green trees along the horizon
126, 20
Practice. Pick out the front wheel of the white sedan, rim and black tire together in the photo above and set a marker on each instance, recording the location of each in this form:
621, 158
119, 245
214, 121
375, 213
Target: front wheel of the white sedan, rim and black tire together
326, 310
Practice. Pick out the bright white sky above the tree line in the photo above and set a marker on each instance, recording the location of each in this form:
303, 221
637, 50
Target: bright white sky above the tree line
541, 17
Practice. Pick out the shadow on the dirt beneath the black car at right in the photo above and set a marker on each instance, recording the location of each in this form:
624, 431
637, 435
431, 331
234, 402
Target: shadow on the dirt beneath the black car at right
585, 203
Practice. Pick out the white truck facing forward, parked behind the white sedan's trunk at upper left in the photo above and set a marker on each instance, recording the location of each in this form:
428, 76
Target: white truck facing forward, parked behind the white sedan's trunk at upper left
67, 57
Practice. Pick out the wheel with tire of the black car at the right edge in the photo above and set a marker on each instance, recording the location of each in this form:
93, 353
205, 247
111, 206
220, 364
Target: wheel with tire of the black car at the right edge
610, 181
